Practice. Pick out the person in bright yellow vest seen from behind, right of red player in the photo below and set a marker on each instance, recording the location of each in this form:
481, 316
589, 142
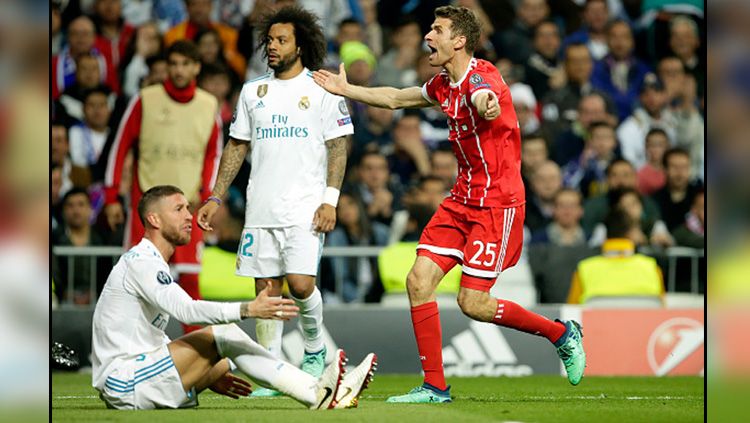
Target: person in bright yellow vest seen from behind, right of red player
619, 271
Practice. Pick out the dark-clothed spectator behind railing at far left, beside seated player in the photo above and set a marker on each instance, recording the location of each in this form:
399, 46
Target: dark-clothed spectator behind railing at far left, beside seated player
76, 230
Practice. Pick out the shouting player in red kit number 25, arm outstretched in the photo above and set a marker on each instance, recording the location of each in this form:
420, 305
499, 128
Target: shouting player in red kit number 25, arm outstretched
480, 225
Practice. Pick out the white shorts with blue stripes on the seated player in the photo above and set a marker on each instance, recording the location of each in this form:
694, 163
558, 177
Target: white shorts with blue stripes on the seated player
146, 382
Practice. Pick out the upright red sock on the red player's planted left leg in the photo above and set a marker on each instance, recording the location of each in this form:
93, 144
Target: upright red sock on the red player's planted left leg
429, 335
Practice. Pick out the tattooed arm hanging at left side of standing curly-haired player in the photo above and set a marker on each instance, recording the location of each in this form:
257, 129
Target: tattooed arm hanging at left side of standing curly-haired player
231, 160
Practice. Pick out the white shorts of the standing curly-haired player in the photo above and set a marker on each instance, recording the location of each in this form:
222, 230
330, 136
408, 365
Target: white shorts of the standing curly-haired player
274, 252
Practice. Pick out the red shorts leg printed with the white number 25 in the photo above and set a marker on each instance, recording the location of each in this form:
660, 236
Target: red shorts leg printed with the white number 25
493, 234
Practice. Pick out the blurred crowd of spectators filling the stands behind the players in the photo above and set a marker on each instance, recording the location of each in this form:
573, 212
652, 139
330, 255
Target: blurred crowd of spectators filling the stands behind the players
610, 98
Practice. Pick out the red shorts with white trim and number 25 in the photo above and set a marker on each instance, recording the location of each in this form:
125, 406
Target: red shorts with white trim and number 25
485, 241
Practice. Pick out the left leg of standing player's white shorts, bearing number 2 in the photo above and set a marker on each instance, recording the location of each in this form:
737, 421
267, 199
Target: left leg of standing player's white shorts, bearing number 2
259, 254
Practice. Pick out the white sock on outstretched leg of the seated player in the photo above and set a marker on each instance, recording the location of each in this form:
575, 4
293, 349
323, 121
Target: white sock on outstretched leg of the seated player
256, 362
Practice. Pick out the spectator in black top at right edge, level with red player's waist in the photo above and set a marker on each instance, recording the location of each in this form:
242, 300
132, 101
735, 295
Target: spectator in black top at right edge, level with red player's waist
676, 198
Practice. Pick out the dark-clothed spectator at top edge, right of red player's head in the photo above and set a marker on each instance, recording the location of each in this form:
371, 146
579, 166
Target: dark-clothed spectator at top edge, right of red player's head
516, 42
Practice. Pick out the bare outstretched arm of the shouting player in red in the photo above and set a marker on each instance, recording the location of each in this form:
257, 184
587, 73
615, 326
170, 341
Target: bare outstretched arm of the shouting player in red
386, 97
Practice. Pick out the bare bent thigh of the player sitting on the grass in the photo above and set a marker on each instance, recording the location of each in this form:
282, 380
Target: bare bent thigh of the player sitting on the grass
194, 356
